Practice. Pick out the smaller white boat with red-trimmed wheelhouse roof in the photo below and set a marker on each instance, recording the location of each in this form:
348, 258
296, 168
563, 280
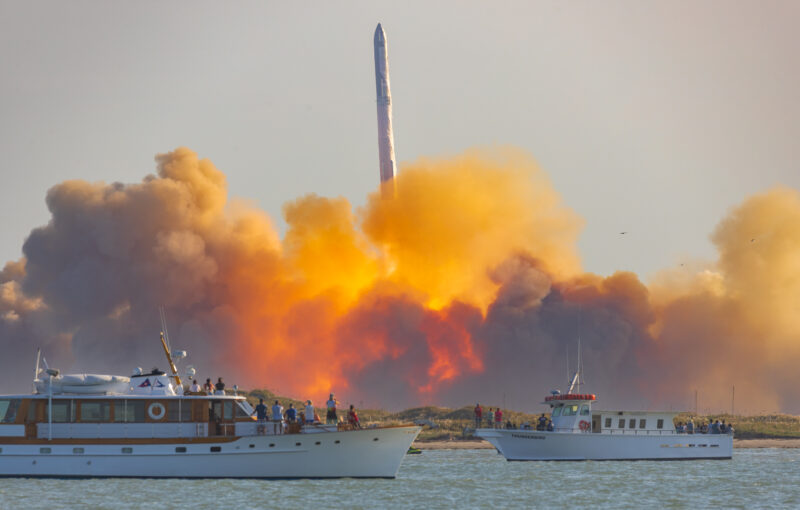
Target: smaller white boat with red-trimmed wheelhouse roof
579, 432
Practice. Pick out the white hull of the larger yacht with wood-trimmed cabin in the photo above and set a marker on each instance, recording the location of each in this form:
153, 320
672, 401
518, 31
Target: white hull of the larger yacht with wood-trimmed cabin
367, 453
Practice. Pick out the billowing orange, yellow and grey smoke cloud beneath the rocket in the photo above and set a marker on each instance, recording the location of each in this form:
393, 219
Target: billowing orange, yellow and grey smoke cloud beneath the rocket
465, 287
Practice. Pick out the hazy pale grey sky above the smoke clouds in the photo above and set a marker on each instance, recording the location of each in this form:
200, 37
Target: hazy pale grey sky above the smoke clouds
650, 117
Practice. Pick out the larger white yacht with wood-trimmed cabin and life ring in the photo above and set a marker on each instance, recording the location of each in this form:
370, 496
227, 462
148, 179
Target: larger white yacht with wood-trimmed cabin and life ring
146, 426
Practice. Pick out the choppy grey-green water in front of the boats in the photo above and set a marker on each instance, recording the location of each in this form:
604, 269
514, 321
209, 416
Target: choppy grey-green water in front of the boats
455, 479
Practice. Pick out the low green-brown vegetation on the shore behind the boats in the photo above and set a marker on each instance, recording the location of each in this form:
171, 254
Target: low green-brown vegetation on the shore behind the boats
443, 423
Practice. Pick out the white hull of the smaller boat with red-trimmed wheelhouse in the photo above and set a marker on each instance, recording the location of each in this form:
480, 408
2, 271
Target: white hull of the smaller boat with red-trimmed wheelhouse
535, 445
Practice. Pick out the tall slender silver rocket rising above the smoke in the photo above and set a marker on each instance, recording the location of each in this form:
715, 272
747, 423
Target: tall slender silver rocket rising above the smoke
385, 135
